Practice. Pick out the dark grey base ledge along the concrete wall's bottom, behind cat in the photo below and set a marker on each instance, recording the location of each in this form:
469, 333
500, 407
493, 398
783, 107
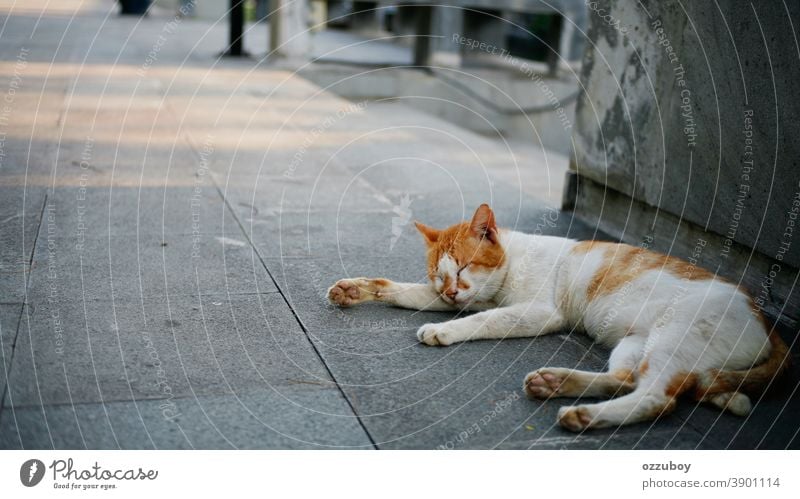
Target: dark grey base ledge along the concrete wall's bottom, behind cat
634, 222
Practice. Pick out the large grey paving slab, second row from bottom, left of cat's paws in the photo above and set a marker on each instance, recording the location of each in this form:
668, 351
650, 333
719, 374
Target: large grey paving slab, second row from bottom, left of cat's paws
70, 353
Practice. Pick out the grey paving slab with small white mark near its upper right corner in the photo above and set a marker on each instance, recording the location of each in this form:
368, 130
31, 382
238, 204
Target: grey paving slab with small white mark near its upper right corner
136, 267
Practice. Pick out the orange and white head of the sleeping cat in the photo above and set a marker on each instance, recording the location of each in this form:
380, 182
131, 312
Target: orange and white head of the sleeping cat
463, 260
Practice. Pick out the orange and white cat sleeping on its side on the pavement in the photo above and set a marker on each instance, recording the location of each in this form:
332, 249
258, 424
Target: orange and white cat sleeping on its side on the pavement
674, 328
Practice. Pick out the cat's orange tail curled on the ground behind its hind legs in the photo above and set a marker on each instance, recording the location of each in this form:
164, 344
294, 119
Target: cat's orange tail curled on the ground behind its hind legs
728, 389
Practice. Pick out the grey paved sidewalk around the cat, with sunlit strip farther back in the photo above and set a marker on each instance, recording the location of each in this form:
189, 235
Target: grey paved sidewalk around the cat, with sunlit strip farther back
170, 223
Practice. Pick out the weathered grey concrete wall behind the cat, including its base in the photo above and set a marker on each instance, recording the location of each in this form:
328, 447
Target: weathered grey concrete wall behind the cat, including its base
688, 129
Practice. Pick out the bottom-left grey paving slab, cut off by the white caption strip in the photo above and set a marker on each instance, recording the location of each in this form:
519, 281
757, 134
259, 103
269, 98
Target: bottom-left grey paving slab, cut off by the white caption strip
309, 417
